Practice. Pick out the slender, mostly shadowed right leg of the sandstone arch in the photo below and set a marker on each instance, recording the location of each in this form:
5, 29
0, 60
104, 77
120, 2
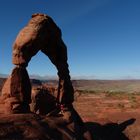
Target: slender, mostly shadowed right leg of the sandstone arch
59, 58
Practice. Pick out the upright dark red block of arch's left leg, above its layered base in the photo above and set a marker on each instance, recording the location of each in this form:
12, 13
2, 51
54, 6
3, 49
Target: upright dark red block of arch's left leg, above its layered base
20, 85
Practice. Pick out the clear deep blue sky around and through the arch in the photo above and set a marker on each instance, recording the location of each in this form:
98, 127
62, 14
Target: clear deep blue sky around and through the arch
102, 36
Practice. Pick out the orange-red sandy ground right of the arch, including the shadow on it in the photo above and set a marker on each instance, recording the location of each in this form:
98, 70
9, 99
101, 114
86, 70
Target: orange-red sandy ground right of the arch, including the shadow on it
106, 114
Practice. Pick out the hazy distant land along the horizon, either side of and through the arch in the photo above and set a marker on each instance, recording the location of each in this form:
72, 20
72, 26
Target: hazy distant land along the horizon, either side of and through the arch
129, 86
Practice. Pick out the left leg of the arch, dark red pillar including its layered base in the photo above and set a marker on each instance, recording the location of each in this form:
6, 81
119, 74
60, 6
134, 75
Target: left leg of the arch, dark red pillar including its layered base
20, 89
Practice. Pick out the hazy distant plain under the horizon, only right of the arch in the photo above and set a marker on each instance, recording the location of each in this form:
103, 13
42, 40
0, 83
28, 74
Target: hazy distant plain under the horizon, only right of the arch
127, 86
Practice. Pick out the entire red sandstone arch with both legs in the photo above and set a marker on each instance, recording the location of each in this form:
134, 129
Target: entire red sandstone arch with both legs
41, 33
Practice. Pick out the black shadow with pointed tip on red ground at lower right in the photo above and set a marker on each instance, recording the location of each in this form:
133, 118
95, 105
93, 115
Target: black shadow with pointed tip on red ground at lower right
109, 131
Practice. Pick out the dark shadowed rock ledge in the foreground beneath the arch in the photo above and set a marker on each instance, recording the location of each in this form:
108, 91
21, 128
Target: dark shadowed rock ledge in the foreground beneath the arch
35, 127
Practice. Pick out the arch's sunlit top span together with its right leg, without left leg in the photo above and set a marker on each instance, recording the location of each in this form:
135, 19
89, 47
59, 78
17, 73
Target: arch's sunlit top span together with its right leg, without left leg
41, 33
